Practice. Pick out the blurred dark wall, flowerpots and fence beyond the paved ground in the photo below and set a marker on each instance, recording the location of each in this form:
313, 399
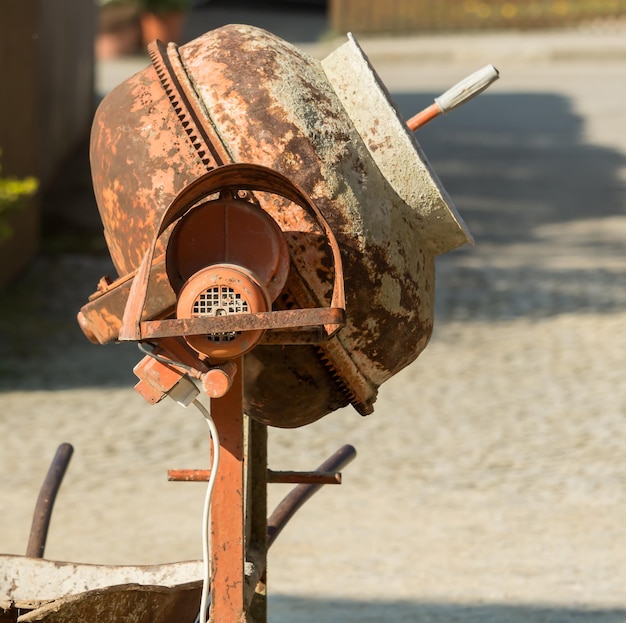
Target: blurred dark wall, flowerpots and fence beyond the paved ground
52, 54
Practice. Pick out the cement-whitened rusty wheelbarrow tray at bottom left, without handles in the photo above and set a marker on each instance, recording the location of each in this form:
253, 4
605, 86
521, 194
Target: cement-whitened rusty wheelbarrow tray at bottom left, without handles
33, 589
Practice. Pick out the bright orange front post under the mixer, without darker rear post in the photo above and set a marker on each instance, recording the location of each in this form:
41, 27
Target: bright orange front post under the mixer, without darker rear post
228, 509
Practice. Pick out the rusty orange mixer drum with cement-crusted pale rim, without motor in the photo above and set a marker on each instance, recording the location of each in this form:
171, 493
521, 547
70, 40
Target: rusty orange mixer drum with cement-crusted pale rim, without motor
239, 94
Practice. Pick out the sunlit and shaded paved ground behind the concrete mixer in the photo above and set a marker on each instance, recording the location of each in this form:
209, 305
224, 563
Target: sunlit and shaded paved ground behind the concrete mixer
491, 481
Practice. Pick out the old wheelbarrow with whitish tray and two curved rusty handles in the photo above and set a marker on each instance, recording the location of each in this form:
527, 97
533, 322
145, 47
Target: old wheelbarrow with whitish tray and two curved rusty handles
35, 589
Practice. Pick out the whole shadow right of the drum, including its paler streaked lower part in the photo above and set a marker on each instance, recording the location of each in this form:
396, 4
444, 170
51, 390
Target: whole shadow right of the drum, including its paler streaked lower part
541, 202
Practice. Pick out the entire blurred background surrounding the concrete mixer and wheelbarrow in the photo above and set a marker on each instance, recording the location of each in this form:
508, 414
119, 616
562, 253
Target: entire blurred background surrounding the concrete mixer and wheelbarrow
491, 482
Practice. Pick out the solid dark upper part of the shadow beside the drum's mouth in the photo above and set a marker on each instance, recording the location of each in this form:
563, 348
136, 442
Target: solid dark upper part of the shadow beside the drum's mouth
517, 161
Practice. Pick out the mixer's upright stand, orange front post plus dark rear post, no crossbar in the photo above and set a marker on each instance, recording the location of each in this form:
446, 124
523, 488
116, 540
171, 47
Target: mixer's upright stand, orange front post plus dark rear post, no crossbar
238, 524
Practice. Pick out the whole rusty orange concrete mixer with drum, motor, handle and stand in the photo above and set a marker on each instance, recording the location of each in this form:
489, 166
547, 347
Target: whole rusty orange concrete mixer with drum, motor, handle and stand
274, 225
